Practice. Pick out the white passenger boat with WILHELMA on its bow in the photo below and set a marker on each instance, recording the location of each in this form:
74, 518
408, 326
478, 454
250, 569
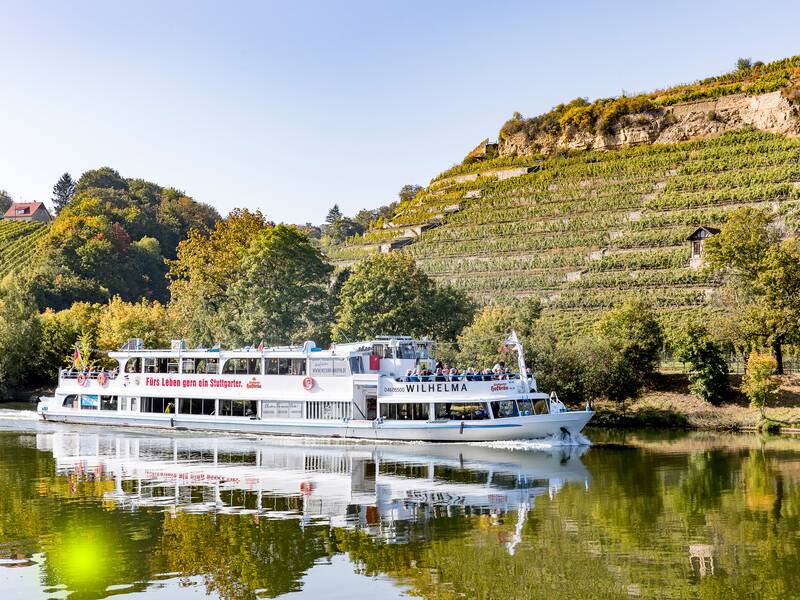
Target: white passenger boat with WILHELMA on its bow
357, 390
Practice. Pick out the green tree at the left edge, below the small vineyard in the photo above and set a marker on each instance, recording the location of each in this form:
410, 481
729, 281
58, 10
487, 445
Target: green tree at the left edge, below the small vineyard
19, 334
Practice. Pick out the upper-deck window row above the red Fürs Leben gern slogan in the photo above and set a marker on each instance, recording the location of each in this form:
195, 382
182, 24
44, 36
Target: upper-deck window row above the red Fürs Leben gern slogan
319, 367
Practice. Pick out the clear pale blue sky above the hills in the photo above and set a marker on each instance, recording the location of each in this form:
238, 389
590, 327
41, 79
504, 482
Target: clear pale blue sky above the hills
290, 107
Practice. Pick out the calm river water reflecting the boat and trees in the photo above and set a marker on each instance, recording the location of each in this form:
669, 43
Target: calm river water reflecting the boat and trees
95, 513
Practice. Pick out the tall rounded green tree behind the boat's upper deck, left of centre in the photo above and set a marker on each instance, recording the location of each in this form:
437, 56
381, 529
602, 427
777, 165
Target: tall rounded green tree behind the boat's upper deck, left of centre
280, 294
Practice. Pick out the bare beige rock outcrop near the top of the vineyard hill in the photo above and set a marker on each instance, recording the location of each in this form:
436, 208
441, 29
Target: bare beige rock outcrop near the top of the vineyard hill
697, 120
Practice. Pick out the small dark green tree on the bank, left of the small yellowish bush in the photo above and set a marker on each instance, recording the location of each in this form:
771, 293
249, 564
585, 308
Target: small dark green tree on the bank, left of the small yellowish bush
708, 369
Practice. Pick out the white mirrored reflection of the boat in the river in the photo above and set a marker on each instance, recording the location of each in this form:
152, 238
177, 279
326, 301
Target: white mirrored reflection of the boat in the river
365, 486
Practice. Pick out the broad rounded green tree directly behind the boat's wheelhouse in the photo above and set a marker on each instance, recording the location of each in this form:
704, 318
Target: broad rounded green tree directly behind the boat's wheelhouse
387, 294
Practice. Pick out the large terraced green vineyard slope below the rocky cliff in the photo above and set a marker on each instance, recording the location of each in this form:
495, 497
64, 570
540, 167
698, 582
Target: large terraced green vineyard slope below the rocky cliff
588, 230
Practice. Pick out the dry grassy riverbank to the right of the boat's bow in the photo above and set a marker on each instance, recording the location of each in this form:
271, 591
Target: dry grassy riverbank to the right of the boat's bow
669, 404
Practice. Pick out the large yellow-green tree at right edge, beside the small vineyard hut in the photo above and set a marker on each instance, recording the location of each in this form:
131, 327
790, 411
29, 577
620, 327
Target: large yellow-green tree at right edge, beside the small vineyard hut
762, 278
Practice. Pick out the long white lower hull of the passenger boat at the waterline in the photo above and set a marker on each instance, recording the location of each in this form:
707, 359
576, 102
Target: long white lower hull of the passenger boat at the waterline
514, 428
